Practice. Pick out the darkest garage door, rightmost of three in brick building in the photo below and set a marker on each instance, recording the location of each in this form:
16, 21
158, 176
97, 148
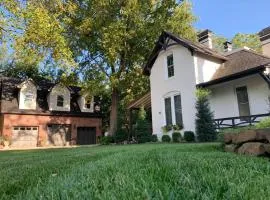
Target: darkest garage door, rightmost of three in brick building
86, 135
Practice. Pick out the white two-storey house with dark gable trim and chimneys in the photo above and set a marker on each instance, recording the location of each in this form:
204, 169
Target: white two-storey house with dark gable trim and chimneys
238, 79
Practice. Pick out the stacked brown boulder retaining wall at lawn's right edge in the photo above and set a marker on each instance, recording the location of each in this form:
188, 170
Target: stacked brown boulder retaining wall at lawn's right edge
249, 142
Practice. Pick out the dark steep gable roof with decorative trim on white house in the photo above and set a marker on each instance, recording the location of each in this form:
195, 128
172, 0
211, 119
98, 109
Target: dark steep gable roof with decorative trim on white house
162, 44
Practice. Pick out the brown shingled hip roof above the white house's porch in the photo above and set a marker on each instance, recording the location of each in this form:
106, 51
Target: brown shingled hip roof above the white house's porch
240, 63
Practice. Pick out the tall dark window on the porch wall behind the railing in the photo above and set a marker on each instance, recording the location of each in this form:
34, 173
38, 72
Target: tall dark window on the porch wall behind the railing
243, 103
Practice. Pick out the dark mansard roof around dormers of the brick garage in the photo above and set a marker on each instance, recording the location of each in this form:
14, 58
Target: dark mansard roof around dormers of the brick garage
10, 99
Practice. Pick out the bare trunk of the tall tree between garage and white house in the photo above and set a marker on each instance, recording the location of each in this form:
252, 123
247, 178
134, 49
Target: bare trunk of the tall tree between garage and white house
114, 112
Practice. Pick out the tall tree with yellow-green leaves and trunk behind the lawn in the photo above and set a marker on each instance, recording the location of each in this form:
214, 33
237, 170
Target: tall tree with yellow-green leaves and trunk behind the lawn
109, 36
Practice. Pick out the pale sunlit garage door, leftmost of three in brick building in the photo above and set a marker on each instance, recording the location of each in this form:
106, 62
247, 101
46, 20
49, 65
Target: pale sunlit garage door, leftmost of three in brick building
24, 136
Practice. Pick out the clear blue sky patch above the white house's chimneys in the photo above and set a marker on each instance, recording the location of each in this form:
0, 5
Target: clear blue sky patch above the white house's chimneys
228, 17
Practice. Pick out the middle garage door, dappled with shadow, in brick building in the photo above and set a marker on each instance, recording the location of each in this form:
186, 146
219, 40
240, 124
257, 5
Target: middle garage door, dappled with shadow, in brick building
59, 134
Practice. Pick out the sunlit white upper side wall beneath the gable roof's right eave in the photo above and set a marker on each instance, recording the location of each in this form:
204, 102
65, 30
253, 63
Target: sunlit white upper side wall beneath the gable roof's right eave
205, 67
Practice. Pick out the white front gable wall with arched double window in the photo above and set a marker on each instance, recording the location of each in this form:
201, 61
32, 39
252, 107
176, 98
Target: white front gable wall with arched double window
182, 82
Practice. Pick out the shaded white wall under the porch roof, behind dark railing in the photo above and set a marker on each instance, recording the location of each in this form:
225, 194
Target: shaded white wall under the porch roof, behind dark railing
223, 100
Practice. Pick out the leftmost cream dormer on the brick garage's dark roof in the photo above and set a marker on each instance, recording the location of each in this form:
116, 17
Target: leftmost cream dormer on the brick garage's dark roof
28, 88
